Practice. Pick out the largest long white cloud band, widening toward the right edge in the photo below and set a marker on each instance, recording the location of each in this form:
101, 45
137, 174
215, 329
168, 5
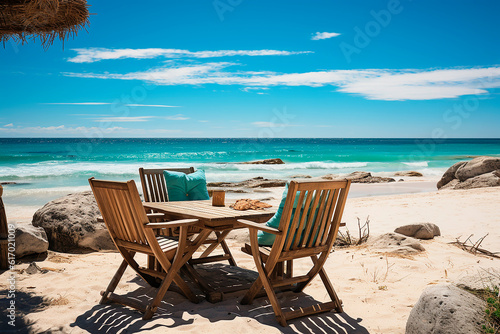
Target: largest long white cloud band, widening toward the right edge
372, 84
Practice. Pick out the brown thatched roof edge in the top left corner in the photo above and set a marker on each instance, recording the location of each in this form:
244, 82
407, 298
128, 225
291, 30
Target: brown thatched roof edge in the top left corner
45, 19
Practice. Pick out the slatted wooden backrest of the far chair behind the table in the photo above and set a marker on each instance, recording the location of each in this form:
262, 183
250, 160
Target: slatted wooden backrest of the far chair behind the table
153, 183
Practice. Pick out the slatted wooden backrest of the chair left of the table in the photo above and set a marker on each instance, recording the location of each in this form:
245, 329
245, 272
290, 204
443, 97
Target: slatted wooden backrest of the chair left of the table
121, 208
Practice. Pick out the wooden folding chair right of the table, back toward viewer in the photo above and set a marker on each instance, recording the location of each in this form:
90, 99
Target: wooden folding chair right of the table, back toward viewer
307, 228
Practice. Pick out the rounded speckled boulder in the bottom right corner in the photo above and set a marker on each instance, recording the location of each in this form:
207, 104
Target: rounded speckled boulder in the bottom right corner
446, 309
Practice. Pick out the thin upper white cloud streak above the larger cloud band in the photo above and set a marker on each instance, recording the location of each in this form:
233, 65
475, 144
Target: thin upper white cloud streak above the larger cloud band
91, 55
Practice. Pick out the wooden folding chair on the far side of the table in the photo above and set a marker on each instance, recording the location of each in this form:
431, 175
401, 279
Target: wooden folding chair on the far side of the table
155, 190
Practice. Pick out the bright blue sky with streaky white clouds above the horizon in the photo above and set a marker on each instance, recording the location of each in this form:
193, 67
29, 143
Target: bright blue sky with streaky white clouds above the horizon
241, 68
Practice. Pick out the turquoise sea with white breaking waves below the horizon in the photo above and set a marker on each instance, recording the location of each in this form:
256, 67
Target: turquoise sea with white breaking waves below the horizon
44, 169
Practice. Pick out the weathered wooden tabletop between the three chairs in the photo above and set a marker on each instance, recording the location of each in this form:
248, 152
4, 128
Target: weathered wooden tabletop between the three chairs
210, 215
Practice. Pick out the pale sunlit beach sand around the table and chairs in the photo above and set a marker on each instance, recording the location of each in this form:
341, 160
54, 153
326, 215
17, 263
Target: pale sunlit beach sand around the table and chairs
378, 291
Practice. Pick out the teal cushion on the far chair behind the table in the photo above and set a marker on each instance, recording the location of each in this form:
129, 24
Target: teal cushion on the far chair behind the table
186, 187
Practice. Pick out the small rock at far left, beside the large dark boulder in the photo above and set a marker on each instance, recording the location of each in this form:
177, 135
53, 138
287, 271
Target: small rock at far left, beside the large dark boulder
30, 240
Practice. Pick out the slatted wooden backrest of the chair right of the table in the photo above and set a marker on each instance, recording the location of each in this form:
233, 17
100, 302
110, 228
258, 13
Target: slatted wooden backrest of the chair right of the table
312, 214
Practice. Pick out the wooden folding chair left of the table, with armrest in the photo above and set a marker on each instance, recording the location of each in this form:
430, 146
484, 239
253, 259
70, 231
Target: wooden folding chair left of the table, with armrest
132, 233
